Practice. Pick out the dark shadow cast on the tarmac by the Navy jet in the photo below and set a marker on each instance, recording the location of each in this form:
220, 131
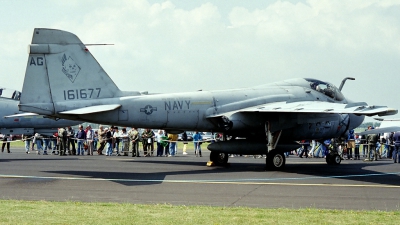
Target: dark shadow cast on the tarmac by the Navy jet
360, 171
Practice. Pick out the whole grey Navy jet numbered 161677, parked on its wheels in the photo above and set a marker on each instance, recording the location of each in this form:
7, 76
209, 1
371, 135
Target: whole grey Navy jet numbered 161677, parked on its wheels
268, 118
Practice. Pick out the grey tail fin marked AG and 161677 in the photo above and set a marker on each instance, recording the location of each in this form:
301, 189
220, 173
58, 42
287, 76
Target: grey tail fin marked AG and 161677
61, 69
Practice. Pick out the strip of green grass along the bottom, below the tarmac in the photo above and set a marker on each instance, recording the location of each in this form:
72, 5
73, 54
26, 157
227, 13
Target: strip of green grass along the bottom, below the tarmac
46, 212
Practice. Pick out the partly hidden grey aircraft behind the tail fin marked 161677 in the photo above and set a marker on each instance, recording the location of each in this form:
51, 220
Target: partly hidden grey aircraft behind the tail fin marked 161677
27, 123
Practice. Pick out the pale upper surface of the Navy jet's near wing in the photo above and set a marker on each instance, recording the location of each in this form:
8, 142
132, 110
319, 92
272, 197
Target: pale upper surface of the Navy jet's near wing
359, 108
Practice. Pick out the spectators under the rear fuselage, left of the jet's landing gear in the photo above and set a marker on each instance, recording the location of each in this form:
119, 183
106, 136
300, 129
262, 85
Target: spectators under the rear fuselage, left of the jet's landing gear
110, 141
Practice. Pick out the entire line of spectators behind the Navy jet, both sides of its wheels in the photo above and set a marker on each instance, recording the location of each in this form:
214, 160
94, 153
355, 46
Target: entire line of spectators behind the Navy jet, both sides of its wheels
112, 141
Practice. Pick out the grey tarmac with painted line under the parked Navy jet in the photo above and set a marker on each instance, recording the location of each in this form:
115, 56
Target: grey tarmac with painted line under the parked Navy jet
186, 180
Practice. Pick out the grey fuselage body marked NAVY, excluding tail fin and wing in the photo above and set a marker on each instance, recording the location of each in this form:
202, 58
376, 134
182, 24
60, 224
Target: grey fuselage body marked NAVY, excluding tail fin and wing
190, 111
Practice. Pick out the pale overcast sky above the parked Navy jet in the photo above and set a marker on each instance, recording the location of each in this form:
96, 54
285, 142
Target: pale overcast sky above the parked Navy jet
176, 46
